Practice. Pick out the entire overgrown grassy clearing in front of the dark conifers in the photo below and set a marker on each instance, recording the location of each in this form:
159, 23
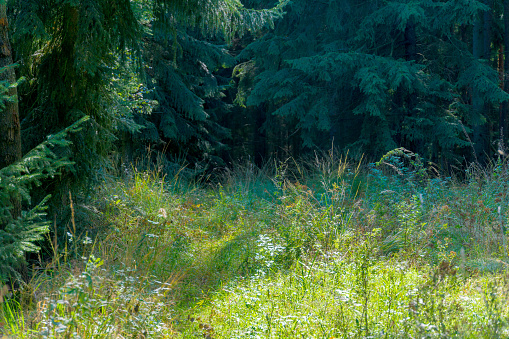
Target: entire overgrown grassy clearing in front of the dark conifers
328, 249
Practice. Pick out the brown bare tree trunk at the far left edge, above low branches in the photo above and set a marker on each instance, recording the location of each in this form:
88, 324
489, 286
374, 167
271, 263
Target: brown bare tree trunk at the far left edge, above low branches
10, 137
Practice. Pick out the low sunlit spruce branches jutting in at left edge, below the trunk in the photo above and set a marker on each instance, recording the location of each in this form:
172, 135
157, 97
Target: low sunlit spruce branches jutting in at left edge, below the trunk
19, 235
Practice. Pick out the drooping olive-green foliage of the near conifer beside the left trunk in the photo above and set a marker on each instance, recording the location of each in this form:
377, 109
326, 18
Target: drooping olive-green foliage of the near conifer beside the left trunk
69, 52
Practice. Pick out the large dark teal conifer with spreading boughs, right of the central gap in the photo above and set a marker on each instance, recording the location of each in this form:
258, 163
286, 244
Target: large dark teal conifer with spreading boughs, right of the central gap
373, 76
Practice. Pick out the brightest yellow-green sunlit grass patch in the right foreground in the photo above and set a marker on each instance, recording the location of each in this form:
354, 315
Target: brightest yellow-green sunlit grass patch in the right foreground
341, 298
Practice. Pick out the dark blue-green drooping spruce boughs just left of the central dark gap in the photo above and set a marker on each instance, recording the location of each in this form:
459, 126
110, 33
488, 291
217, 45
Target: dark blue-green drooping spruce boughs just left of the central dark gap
188, 94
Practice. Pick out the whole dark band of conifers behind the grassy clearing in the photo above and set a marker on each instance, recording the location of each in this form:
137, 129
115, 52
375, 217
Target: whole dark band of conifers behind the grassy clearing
362, 76
